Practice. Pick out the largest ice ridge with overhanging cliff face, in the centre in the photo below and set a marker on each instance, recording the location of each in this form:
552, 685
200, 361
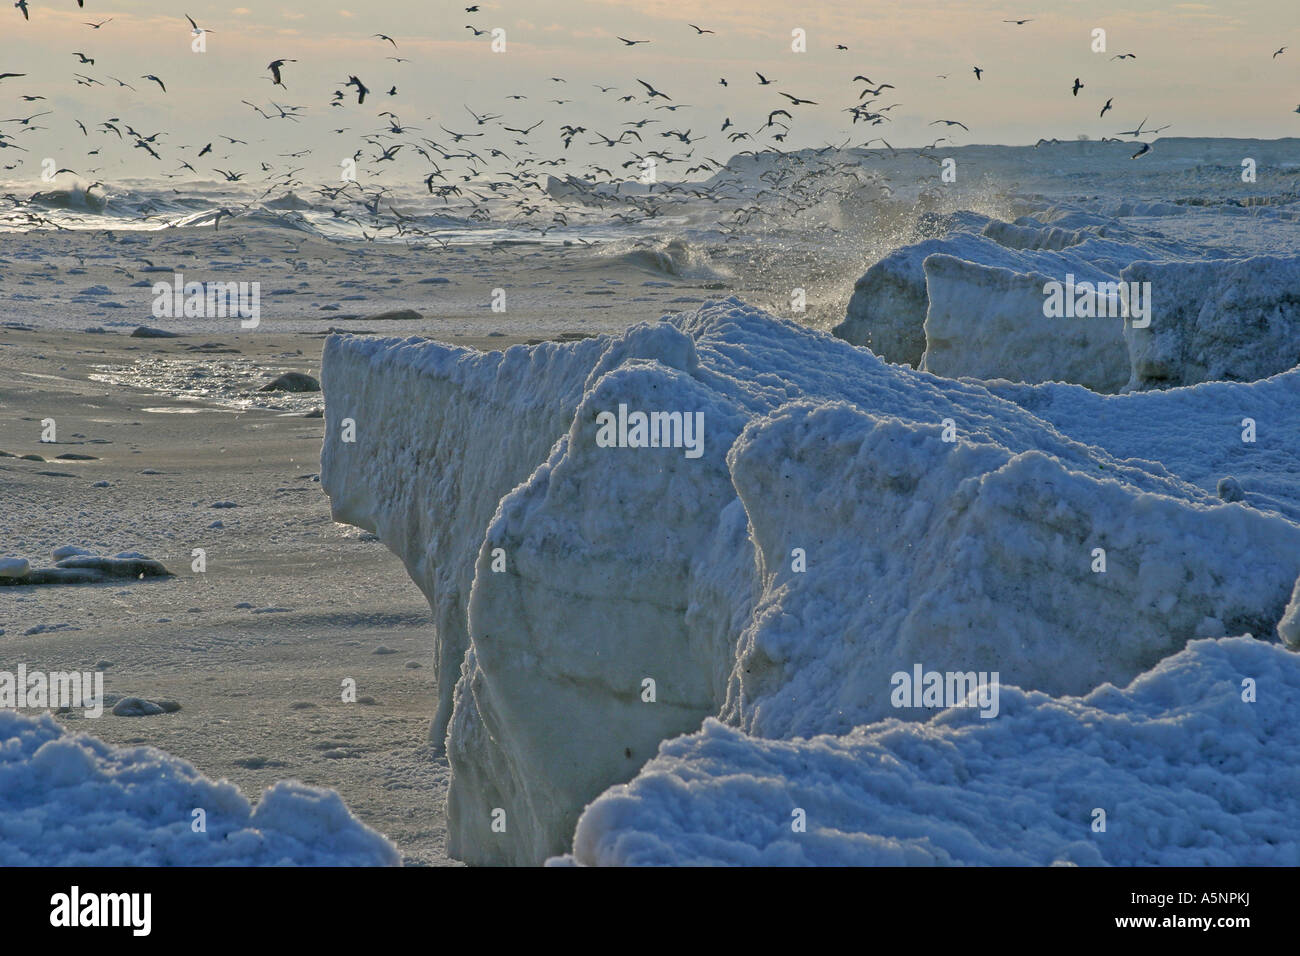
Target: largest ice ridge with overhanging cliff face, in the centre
942, 525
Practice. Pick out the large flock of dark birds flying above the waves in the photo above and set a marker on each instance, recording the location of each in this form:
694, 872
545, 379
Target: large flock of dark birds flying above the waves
508, 171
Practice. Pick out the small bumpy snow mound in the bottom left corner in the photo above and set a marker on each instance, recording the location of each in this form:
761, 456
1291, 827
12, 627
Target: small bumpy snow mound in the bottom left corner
73, 801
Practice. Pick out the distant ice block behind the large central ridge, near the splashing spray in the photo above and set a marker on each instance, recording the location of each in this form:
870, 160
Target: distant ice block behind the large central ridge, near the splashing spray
972, 304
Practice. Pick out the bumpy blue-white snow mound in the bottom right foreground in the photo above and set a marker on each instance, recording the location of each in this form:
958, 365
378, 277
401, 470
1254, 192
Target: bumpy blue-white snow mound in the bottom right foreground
1186, 772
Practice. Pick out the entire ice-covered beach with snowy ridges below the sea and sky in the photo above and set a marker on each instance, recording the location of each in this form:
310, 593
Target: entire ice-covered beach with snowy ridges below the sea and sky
989, 555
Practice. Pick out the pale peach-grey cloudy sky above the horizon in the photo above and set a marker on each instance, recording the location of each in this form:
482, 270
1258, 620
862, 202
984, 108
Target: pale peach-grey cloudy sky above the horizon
1204, 70
